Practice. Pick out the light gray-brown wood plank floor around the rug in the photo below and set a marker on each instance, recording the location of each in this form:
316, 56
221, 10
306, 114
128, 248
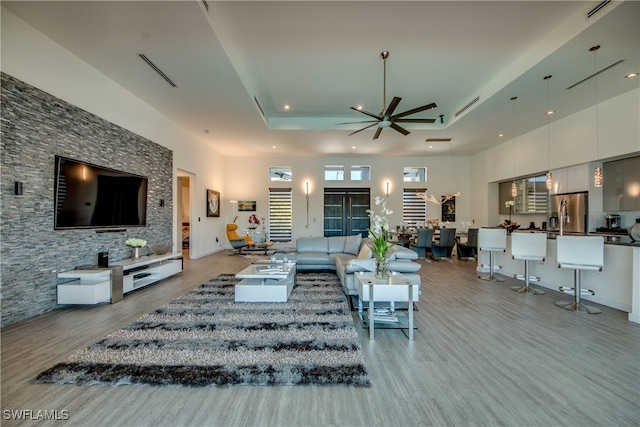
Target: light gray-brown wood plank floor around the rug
483, 355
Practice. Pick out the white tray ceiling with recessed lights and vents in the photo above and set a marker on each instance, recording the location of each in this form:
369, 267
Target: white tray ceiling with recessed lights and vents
323, 57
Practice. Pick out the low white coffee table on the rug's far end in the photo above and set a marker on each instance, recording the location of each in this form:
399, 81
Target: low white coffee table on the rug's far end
263, 282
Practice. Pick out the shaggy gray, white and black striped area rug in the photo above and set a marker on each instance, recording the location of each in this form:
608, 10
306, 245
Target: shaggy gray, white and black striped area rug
204, 338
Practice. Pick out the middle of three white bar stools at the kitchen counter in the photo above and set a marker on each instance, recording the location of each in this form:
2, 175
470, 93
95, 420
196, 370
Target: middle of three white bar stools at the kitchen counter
528, 247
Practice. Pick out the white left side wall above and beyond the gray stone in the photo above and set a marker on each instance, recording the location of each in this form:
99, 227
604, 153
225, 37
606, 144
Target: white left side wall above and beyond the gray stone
26, 53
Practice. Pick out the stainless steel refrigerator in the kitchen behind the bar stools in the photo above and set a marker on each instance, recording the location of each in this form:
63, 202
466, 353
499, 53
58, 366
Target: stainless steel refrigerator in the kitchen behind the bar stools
577, 212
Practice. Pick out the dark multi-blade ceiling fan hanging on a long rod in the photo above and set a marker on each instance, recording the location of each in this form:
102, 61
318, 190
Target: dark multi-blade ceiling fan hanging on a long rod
386, 118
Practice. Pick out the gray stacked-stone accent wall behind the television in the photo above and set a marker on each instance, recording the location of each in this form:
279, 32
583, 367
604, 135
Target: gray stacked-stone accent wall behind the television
35, 126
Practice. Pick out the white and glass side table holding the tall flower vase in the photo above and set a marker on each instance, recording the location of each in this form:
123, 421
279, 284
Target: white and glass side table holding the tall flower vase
396, 288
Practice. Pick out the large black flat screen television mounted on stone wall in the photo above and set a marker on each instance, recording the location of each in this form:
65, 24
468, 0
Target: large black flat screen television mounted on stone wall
91, 196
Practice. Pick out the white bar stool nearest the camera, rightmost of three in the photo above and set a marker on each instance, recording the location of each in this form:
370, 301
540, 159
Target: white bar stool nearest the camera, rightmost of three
579, 253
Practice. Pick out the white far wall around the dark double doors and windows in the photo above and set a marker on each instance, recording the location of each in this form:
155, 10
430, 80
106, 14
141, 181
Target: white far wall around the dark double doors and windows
445, 175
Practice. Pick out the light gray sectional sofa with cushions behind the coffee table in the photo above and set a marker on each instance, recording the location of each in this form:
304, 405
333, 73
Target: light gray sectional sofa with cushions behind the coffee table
347, 255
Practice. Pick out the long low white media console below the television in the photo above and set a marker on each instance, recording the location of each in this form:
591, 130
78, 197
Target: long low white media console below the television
93, 286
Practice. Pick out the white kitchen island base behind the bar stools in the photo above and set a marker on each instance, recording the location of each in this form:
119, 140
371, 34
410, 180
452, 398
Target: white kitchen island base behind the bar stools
616, 286
